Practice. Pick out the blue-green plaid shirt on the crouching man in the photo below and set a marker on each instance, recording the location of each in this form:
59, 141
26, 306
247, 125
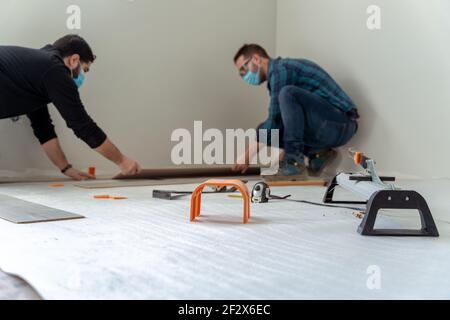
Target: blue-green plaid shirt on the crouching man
306, 75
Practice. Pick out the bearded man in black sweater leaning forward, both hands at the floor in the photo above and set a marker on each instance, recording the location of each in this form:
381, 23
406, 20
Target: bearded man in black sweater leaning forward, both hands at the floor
31, 79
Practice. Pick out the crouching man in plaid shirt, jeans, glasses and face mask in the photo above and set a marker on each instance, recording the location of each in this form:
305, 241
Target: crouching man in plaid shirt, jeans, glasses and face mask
313, 114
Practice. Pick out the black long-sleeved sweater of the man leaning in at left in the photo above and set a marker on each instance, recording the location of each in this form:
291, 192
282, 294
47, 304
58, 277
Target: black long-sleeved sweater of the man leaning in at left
30, 79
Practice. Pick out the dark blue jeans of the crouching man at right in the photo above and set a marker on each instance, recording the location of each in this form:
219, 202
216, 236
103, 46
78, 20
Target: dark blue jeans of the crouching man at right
312, 124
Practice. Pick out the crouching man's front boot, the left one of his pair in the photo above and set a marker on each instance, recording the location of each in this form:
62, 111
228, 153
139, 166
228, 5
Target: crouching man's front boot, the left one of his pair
292, 168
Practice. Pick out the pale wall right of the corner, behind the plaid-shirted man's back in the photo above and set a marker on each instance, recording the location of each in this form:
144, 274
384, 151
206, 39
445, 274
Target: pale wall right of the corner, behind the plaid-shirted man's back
399, 76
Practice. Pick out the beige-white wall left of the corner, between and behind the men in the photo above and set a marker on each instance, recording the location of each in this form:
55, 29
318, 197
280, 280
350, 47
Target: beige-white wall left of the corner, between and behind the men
161, 65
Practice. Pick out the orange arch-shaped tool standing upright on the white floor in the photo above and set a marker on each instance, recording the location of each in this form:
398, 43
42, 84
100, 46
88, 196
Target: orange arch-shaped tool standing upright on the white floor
196, 199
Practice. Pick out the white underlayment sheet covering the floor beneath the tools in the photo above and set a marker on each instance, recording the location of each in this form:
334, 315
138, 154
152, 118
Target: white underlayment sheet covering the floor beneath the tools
143, 248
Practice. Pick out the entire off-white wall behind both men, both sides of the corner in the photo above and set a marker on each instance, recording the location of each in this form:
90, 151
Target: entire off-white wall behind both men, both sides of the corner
165, 63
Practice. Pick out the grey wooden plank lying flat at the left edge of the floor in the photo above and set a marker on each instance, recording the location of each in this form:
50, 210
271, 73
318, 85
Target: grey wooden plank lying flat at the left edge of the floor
23, 212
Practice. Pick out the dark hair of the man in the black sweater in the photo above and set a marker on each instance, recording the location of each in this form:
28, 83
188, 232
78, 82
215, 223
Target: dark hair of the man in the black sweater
74, 44
